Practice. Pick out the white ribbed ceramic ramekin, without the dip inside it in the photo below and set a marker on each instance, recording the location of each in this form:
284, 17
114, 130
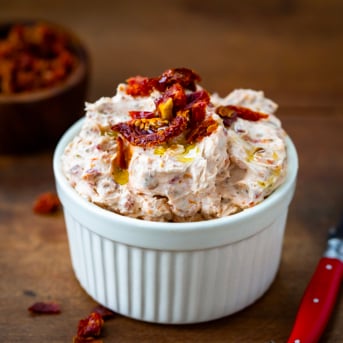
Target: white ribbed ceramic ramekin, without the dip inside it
175, 272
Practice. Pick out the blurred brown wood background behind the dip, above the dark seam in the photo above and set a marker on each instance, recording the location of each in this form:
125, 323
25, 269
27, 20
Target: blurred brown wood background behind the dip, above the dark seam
285, 47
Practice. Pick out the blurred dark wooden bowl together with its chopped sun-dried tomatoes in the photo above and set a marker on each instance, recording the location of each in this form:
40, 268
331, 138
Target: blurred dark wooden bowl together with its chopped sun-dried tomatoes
44, 72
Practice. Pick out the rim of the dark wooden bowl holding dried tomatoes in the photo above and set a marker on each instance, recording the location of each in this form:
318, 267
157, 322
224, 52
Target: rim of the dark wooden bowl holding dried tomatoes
79, 49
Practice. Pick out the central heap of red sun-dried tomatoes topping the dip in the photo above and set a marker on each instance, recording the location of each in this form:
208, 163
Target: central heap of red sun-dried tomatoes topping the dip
177, 111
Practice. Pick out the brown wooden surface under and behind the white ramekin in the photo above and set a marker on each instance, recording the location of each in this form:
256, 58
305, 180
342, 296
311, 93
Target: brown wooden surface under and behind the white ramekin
291, 50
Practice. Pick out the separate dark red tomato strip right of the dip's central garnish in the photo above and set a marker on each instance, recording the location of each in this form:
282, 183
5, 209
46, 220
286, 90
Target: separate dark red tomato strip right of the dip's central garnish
230, 113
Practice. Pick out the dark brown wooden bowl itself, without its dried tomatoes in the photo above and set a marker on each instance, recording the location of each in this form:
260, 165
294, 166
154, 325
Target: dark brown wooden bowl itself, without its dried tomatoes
34, 121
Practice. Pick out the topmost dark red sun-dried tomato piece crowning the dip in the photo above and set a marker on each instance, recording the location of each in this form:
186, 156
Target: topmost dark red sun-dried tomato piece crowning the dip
187, 78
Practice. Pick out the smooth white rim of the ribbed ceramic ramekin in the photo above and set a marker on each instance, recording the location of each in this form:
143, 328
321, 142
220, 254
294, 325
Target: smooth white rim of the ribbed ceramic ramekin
174, 235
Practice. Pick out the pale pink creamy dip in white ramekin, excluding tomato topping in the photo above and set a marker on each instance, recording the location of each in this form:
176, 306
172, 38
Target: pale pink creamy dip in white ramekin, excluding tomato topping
226, 171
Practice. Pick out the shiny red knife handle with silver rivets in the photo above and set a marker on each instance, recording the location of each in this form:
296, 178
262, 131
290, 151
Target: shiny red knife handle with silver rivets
317, 302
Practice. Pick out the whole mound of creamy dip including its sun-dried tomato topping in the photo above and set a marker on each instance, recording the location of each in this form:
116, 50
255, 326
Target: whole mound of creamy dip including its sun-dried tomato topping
165, 149
